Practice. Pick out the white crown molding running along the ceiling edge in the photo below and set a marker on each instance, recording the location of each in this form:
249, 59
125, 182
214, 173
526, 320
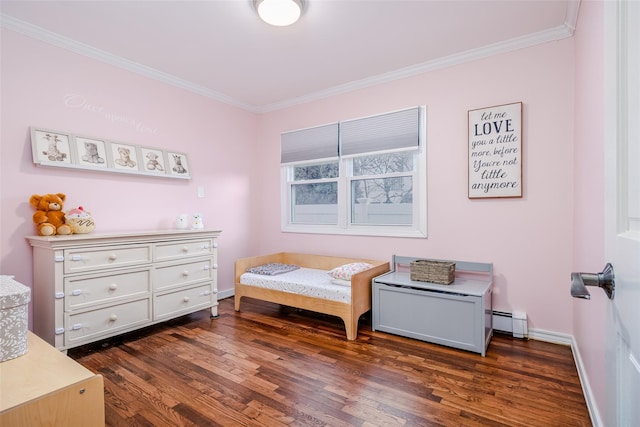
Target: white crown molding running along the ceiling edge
553, 34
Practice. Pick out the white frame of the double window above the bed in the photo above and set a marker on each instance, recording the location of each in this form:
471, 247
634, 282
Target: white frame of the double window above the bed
344, 225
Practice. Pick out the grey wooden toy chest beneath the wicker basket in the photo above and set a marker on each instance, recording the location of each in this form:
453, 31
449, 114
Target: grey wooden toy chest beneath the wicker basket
456, 315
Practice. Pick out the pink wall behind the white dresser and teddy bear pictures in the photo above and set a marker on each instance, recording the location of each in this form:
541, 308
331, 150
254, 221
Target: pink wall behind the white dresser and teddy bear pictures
36, 78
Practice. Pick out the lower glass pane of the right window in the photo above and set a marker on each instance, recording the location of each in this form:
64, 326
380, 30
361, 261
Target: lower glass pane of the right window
382, 201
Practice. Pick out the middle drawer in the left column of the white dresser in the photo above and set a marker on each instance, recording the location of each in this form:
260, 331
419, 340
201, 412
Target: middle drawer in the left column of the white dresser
84, 291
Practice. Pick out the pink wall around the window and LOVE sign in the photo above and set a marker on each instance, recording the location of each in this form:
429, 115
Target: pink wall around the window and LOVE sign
529, 240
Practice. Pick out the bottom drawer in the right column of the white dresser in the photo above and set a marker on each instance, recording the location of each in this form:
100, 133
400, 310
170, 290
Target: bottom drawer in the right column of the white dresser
183, 301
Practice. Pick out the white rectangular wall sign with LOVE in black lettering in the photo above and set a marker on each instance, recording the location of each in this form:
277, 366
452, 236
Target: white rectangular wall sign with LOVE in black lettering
495, 151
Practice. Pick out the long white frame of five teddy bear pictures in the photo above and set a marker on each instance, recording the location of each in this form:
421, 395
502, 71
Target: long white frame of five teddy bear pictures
63, 149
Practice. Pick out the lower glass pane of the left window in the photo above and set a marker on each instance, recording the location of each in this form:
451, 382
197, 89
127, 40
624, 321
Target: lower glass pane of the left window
315, 203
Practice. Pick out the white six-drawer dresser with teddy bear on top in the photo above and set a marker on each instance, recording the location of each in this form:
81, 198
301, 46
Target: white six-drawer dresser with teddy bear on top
93, 286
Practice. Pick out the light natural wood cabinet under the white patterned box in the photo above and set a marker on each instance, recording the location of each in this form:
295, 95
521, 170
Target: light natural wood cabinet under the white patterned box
44, 387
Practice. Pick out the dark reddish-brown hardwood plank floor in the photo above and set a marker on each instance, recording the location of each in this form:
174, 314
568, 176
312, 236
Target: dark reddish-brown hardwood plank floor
273, 366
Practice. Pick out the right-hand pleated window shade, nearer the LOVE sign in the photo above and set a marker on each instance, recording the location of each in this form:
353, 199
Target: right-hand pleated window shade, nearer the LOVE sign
391, 131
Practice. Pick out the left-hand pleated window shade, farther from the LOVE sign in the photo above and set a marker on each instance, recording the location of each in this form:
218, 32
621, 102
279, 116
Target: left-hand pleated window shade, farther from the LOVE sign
309, 144
